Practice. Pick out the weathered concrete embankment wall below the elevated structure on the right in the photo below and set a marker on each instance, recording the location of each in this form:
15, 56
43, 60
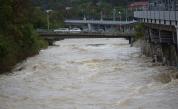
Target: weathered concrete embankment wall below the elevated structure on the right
164, 53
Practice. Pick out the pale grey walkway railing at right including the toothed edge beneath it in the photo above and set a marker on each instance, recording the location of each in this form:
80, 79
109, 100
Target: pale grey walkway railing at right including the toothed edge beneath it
159, 16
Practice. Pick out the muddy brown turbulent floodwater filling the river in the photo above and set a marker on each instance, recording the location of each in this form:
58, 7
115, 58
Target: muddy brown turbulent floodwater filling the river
89, 74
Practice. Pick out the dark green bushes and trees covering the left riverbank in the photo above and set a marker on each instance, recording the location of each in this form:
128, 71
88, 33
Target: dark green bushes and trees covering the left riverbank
18, 38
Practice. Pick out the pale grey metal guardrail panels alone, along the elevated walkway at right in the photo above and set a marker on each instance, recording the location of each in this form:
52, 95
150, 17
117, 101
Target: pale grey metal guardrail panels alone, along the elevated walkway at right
157, 15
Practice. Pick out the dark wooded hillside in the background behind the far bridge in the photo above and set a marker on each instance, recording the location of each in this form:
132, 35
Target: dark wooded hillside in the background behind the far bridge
92, 9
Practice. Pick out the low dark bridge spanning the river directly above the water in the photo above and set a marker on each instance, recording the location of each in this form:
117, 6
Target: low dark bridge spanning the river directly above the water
56, 36
